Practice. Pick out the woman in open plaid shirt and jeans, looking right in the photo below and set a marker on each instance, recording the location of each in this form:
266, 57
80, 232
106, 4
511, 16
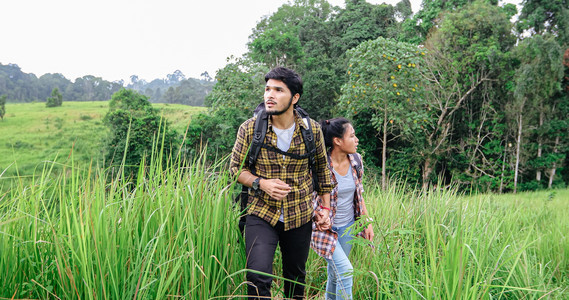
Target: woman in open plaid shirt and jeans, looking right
346, 206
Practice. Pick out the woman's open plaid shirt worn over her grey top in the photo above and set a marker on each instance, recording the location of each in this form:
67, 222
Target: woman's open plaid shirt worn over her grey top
324, 242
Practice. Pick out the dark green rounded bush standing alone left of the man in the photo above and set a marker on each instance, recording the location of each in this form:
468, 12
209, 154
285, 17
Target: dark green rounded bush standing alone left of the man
135, 129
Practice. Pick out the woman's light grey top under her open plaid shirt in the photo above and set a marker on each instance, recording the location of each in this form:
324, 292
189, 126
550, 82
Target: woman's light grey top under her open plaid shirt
345, 206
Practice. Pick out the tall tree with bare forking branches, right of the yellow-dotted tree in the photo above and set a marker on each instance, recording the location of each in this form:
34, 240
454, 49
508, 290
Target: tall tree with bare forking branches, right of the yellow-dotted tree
468, 50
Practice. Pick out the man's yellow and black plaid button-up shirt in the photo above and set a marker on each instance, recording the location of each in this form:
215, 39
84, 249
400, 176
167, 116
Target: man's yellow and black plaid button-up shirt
297, 205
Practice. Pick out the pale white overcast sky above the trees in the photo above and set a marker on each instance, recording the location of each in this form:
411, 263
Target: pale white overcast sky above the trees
114, 39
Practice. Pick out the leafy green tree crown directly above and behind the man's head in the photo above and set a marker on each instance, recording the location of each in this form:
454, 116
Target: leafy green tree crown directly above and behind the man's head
298, 36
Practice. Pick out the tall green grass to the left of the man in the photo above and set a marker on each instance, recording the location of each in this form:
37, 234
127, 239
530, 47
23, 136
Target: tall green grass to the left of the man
83, 235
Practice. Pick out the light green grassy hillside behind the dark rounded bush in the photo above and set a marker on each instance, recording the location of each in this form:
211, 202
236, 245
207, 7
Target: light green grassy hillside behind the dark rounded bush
31, 133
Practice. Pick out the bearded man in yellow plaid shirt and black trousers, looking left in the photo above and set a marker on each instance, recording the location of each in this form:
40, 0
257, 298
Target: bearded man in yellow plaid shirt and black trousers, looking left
280, 209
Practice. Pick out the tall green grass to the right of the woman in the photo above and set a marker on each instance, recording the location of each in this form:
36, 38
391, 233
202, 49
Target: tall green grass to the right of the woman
441, 245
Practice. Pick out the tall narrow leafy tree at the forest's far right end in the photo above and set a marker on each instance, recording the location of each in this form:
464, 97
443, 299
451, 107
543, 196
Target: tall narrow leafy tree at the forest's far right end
538, 78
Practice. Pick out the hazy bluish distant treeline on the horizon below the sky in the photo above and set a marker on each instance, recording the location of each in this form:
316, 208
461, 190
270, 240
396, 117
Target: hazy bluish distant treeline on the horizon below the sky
19, 86
